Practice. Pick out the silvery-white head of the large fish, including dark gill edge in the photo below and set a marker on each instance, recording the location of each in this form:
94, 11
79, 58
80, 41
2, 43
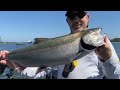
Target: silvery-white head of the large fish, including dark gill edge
93, 38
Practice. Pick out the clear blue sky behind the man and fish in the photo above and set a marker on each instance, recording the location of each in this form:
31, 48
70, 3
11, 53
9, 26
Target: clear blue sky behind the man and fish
22, 26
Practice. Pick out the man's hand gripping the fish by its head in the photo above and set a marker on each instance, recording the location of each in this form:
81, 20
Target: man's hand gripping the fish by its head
104, 51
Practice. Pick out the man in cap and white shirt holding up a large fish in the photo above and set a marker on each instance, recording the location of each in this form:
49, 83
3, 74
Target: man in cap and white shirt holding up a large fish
99, 63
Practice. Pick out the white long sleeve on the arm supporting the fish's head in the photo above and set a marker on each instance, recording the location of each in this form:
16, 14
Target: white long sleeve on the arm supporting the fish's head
112, 65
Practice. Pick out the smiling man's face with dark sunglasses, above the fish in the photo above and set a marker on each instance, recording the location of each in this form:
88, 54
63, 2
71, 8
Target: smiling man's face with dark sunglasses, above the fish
77, 21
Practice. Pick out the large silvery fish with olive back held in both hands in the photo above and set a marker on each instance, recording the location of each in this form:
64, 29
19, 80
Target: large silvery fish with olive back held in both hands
58, 50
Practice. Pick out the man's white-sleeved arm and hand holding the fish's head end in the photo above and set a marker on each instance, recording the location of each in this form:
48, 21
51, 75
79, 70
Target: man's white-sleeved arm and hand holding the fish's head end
109, 60
